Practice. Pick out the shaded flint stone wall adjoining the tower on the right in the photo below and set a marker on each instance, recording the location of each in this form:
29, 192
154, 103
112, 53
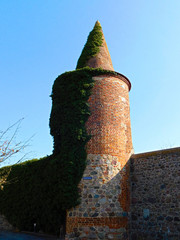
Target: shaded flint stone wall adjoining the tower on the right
155, 195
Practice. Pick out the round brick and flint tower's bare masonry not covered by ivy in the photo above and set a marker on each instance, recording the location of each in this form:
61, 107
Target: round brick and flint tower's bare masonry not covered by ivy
104, 209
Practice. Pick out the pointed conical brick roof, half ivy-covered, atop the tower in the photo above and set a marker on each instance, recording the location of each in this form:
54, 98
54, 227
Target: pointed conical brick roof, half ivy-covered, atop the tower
95, 53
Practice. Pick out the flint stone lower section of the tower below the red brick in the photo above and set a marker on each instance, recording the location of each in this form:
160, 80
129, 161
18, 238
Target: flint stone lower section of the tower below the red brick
100, 214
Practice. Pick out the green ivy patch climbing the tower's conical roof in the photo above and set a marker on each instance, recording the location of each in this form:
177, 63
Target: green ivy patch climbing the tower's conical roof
92, 46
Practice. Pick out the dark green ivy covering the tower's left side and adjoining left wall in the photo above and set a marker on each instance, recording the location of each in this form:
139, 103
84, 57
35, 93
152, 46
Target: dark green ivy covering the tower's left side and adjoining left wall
42, 190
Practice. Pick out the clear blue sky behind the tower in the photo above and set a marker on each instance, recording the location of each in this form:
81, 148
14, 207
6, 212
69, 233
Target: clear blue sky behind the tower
40, 39
